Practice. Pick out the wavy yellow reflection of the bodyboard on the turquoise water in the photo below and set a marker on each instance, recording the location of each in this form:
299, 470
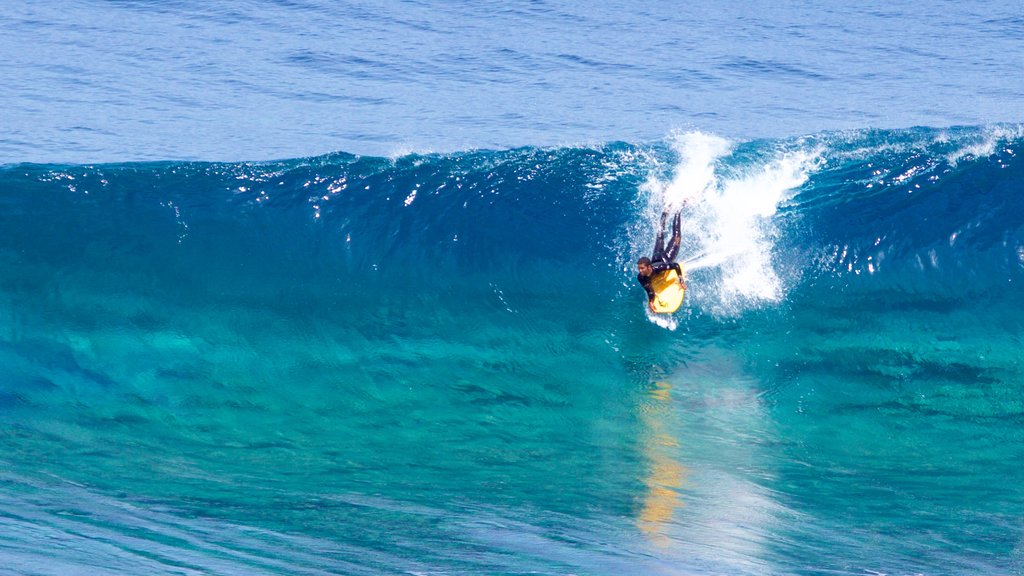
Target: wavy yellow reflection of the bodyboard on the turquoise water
666, 475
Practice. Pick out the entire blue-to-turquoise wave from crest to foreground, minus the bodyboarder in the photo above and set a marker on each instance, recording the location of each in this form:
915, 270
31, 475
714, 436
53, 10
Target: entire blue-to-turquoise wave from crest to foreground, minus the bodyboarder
443, 363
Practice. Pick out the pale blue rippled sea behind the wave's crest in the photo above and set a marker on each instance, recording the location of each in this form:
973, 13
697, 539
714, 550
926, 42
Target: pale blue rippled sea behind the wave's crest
113, 81
